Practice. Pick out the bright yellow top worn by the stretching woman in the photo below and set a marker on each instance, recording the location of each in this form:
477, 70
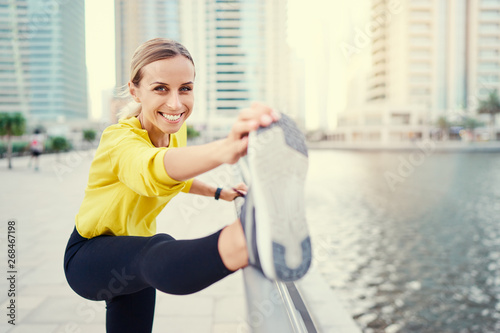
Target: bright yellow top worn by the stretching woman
128, 185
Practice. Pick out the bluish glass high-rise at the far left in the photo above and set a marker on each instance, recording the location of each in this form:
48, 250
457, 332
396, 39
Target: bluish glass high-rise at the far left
42, 60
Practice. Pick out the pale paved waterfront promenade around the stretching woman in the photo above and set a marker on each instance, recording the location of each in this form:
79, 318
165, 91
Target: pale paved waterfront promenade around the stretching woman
43, 203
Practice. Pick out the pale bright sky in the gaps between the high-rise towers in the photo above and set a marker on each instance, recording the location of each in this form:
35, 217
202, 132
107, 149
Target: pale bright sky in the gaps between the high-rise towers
317, 28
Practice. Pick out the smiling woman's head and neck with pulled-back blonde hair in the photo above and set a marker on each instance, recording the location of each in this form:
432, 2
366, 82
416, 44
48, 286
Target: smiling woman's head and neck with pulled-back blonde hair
164, 88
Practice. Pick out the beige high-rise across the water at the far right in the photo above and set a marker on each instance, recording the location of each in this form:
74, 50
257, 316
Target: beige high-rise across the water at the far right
430, 59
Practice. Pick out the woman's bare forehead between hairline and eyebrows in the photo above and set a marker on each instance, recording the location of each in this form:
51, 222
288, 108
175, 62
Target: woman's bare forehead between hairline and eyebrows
178, 69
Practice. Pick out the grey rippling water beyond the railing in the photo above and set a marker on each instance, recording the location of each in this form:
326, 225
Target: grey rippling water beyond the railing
410, 242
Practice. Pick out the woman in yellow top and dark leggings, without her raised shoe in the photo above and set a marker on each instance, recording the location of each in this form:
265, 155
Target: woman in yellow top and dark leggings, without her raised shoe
141, 163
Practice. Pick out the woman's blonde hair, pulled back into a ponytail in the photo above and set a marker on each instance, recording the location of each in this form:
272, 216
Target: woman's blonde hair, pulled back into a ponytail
153, 50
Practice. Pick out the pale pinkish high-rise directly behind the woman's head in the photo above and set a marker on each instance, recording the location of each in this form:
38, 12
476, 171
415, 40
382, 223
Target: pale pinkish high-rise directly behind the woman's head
138, 21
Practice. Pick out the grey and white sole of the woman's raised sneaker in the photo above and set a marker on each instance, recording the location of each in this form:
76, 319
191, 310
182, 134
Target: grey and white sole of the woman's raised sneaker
281, 173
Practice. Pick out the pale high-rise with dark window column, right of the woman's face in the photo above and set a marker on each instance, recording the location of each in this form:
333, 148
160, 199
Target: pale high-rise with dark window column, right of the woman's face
241, 55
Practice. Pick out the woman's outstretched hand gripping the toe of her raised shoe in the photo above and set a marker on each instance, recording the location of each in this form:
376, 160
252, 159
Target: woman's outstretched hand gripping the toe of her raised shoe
248, 120
